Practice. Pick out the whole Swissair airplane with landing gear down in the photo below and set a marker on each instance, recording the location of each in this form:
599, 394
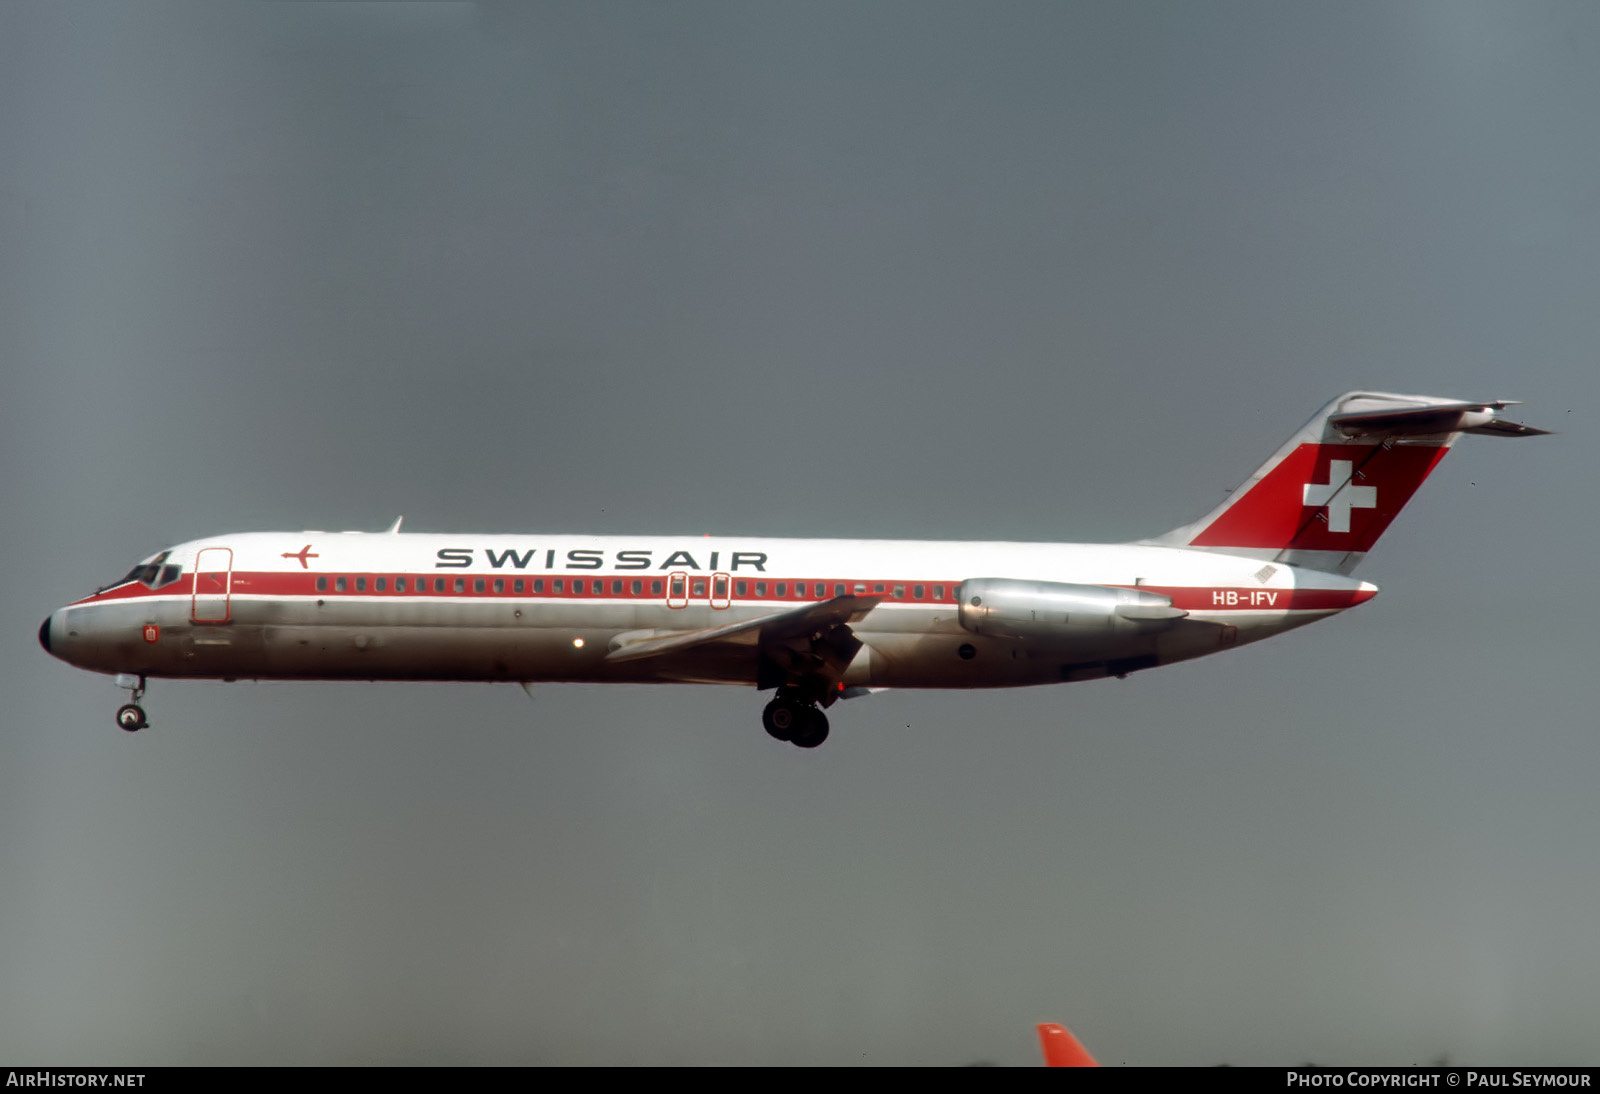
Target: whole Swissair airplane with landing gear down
814, 621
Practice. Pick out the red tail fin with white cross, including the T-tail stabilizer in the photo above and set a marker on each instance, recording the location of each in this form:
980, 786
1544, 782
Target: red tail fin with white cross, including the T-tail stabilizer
1326, 498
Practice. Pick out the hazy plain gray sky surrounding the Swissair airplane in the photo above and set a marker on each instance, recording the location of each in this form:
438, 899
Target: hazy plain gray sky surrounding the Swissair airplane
1015, 271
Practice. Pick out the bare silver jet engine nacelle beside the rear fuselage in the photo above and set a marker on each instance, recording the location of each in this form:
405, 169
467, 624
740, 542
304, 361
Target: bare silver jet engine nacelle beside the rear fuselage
1007, 609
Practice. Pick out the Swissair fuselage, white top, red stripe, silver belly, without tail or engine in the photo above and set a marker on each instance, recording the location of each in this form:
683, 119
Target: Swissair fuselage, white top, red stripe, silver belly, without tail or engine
527, 609
